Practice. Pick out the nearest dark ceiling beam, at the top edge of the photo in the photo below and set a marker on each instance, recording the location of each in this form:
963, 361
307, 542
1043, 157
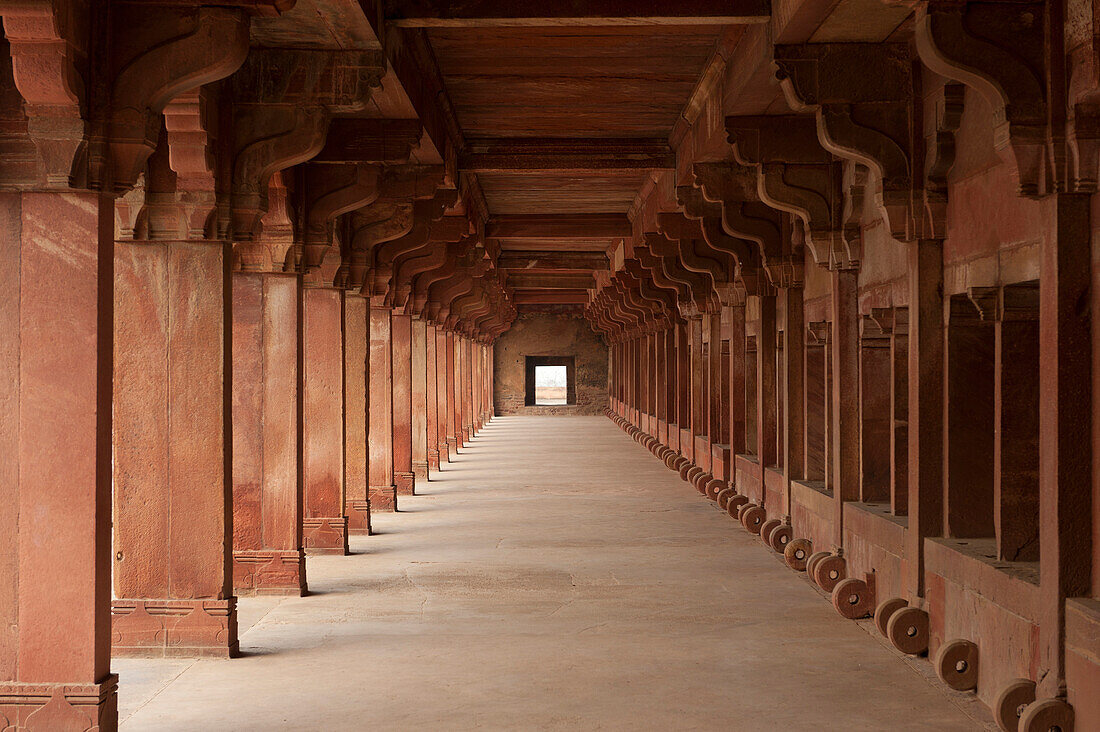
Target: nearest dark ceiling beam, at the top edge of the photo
499, 14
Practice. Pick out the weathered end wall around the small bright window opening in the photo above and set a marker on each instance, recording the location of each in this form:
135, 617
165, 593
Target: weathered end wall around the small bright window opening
551, 335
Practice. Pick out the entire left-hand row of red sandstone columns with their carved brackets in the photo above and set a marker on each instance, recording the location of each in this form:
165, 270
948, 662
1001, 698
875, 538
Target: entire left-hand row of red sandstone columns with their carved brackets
217, 360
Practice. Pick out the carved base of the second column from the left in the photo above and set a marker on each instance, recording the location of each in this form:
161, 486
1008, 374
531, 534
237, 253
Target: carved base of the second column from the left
174, 628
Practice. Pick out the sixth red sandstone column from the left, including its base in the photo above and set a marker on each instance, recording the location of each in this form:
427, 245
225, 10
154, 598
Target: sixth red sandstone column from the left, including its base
381, 414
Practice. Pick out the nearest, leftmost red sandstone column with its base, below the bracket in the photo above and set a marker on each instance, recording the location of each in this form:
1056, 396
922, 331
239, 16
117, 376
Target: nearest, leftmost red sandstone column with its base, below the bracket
57, 274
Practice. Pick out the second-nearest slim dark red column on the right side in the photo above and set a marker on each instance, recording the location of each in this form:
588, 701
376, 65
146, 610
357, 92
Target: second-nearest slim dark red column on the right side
926, 407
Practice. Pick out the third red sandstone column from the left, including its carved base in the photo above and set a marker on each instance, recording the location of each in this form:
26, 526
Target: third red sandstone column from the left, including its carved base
268, 554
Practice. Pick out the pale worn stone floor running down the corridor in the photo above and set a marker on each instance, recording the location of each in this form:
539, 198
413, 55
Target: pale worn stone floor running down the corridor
555, 576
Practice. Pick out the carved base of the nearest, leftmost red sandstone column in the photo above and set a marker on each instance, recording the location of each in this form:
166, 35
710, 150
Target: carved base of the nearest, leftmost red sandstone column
76, 707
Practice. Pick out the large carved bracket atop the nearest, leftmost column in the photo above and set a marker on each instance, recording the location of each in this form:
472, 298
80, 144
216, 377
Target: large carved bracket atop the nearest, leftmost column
103, 140
